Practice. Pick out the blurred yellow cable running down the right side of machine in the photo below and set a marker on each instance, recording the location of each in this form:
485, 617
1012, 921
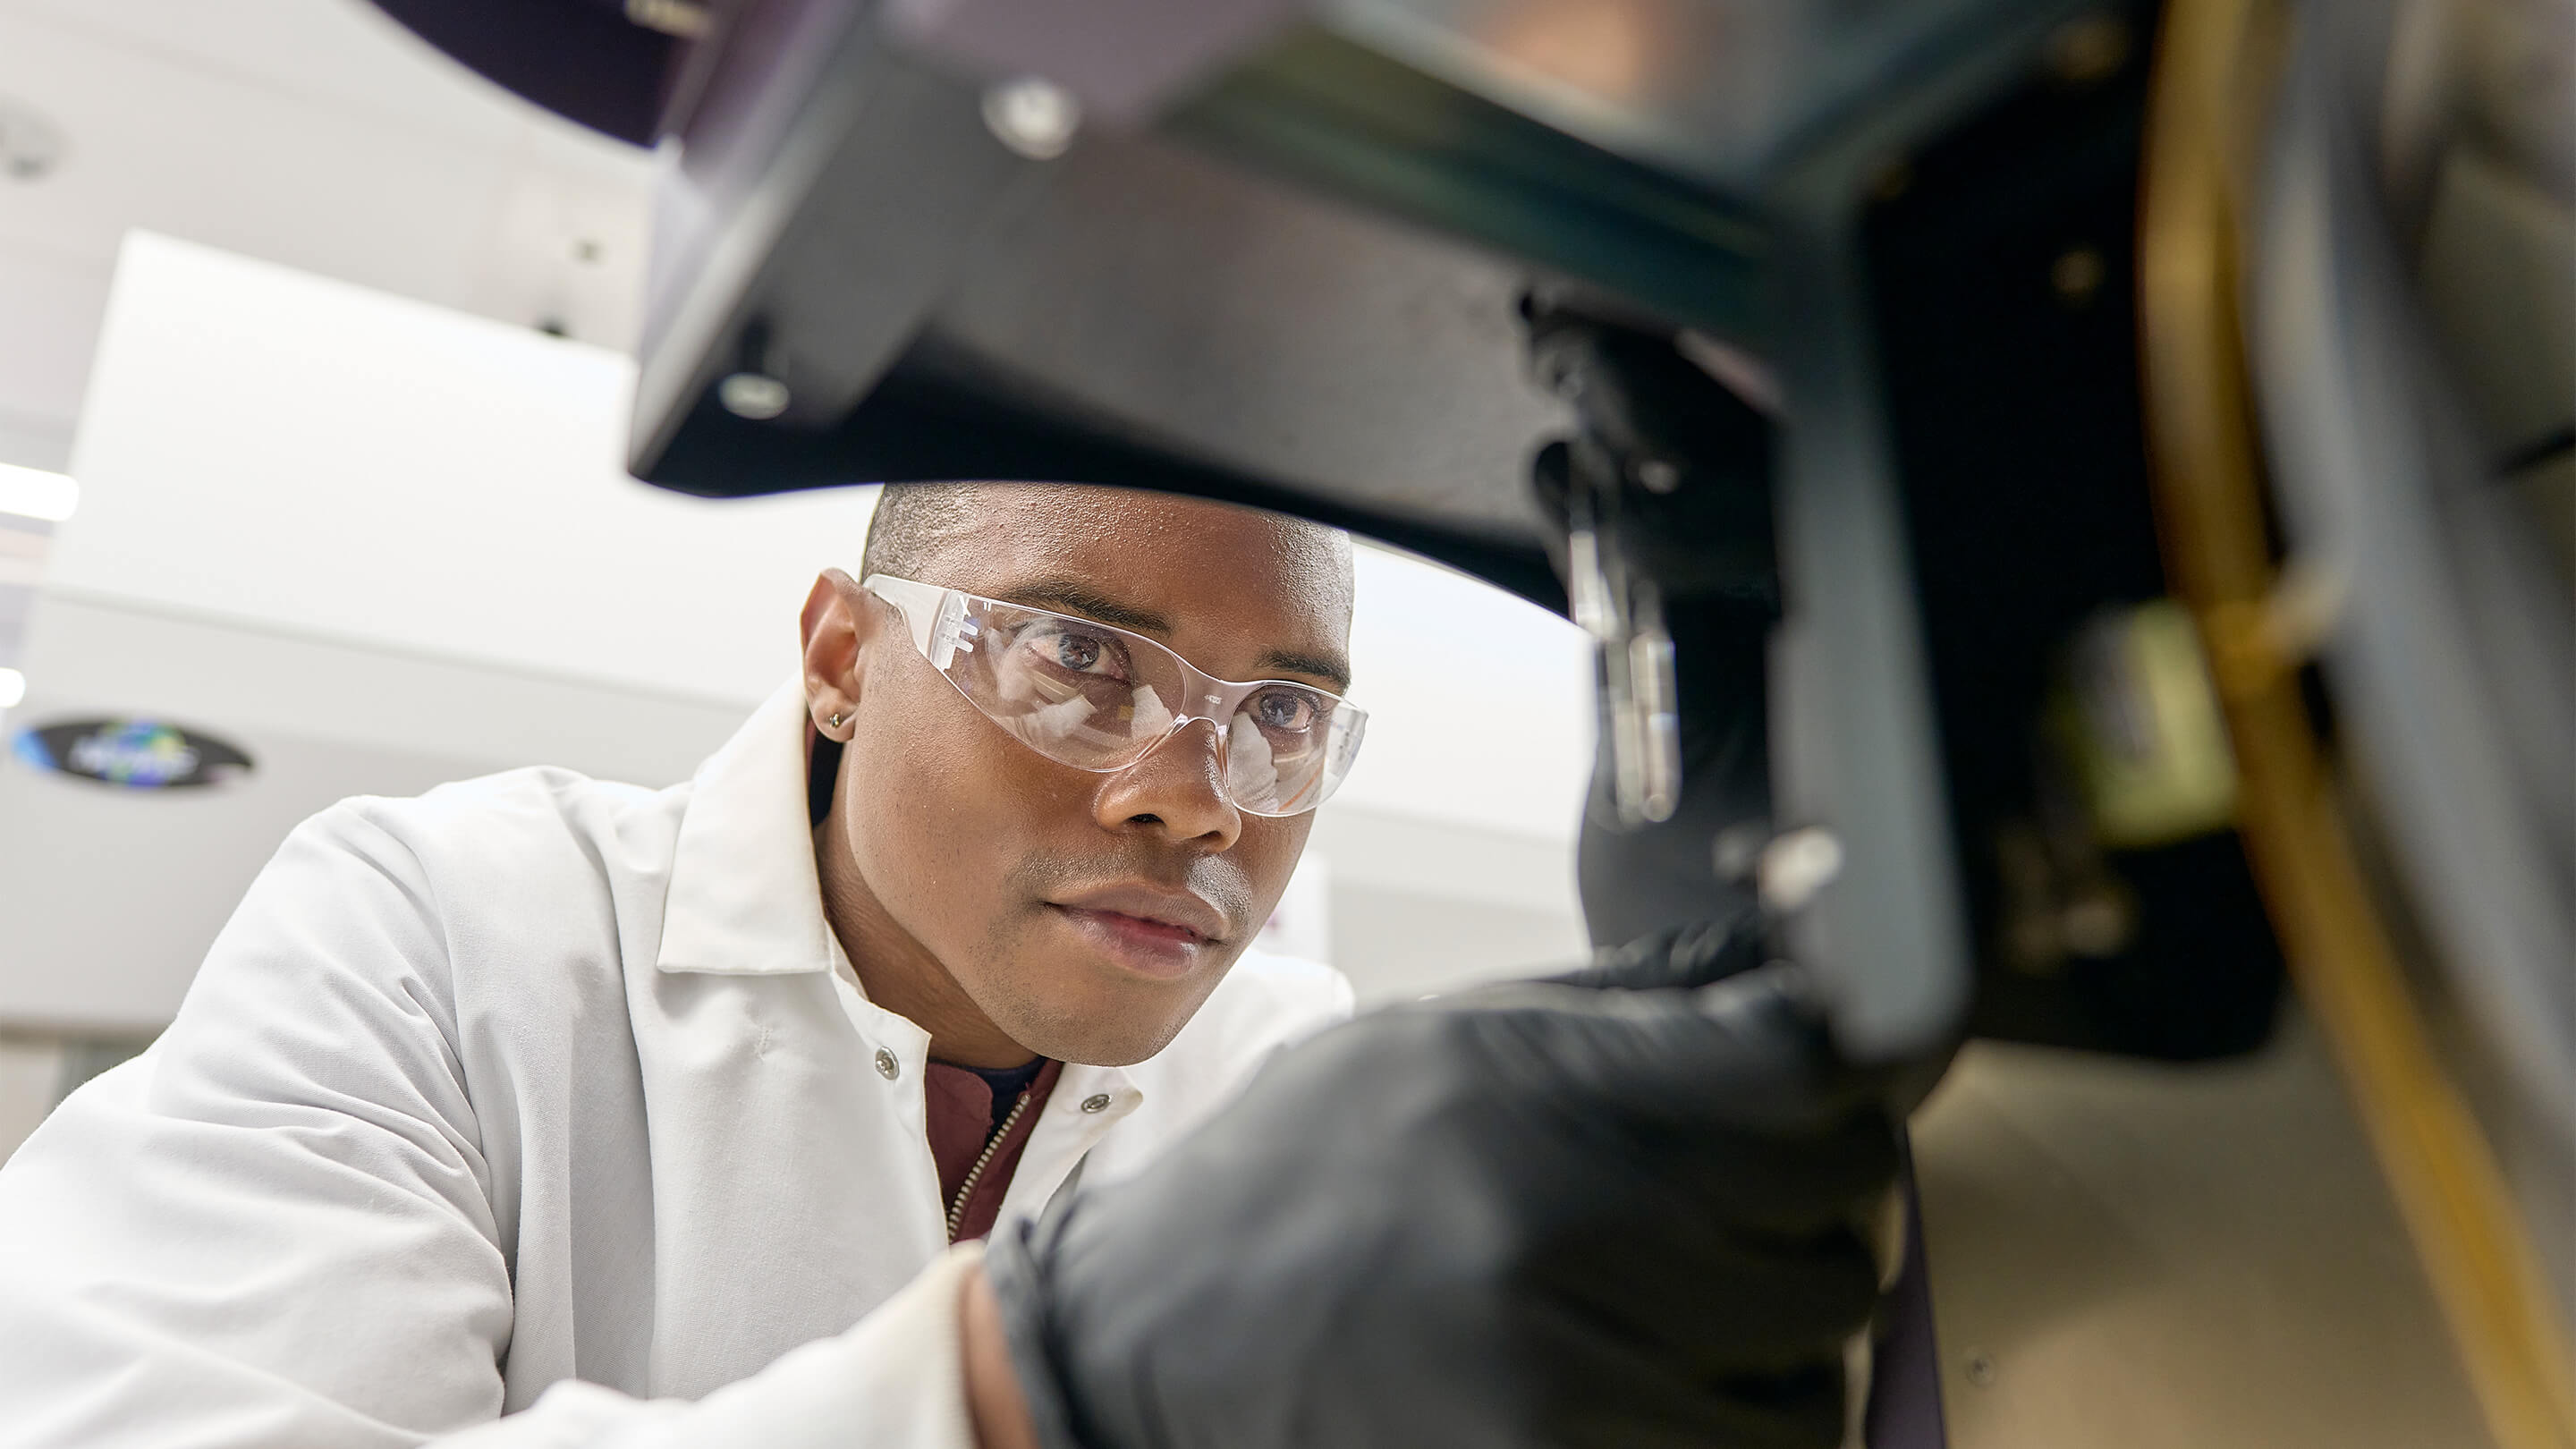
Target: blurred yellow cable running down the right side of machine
2209, 501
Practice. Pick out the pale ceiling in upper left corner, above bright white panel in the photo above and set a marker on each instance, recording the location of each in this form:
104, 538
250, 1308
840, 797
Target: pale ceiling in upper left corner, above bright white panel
308, 133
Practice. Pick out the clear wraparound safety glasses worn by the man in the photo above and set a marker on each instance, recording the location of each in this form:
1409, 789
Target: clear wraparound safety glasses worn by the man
1099, 700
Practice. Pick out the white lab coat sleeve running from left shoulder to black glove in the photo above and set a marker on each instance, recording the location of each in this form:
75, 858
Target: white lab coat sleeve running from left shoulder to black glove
277, 1226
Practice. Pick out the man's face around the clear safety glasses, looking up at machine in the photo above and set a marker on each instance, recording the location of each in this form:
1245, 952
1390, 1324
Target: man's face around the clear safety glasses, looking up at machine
1086, 914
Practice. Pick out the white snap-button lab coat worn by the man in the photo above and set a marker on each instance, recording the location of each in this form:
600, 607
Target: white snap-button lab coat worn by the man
532, 1082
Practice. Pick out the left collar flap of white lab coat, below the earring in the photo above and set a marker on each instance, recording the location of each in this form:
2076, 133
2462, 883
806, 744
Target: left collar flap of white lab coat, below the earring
743, 888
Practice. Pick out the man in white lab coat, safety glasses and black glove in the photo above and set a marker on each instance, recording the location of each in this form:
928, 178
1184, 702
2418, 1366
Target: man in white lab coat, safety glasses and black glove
555, 1113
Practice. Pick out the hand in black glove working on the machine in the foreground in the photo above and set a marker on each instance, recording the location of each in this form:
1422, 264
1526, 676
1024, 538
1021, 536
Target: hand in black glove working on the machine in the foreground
1534, 1216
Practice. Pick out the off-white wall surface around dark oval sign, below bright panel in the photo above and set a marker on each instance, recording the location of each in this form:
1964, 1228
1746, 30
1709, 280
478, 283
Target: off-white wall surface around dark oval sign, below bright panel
112, 896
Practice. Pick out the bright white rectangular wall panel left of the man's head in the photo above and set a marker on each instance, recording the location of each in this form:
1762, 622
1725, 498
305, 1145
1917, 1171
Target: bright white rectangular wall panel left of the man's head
308, 455
